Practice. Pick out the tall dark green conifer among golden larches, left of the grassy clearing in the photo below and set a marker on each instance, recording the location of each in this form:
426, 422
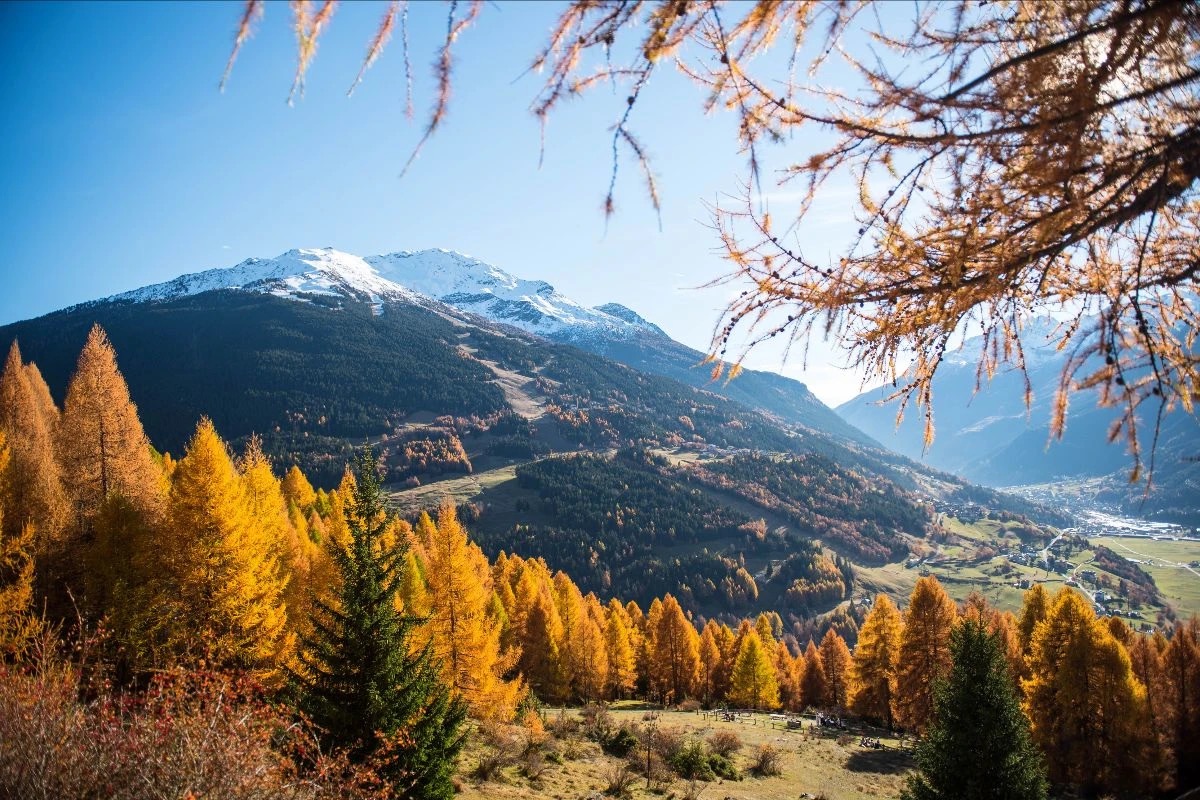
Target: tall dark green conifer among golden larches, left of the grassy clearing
361, 681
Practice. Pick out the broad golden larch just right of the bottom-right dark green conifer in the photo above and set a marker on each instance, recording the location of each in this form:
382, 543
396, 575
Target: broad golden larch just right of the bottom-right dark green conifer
1088, 711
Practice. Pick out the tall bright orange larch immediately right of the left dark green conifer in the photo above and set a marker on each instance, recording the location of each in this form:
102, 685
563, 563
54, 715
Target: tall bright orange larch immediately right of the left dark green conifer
466, 637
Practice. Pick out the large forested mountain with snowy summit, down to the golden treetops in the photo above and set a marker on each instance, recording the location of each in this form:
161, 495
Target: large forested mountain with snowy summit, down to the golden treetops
584, 436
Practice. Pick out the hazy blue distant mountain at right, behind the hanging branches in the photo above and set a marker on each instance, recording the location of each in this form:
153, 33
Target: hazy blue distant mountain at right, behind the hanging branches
991, 438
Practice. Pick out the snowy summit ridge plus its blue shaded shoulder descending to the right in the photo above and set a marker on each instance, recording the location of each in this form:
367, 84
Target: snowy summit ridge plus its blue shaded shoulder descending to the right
453, 284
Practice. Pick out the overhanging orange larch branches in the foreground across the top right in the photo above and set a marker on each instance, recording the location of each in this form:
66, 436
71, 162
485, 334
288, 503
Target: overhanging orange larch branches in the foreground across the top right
1009, 159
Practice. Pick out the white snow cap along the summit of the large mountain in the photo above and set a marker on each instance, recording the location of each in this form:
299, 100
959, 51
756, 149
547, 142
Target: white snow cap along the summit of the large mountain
454, 279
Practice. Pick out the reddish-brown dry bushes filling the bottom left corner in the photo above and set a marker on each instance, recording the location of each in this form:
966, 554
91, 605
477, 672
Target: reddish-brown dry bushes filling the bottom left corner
189, 735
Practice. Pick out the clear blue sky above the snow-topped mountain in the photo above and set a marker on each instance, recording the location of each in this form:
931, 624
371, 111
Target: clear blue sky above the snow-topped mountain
123, 165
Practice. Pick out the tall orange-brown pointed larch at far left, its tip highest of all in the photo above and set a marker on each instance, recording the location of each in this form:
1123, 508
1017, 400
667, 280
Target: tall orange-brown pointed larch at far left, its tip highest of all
105, 450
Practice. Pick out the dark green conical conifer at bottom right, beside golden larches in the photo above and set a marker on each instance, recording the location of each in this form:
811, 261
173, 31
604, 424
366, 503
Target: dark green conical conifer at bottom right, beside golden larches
979, 745
